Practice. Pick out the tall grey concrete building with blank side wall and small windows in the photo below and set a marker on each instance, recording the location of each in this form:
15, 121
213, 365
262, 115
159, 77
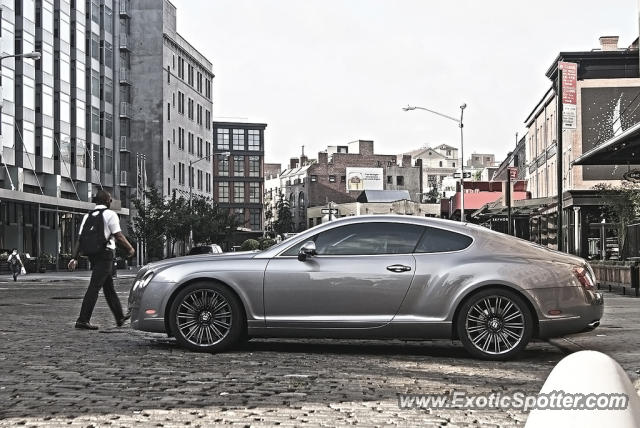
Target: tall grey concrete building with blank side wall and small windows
165, 104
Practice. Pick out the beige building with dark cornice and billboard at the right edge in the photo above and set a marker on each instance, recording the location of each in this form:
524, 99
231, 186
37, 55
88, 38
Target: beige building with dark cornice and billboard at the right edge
608, 89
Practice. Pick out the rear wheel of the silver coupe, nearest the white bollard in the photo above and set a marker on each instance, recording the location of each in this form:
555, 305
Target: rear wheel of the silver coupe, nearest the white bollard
494, 324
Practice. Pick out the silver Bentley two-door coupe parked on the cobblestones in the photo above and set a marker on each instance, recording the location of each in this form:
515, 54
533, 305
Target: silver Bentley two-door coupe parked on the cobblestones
382, 277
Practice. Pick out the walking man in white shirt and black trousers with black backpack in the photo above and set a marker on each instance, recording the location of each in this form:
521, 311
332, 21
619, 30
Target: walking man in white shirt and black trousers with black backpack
98, 232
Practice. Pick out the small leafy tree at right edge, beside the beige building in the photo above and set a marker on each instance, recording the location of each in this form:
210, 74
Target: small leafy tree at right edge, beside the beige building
621, 206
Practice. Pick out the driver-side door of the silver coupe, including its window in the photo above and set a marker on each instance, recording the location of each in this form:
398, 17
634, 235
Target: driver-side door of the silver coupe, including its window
358, 278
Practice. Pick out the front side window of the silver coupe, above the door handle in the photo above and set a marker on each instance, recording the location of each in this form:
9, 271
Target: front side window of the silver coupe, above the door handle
369, 239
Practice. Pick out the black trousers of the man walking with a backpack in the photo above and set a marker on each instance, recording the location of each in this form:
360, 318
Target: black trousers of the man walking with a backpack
101, 270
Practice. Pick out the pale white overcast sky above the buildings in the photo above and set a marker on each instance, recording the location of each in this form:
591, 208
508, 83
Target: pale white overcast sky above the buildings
327, 72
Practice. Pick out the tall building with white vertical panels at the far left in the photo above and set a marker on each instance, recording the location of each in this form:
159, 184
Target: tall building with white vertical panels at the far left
58, 128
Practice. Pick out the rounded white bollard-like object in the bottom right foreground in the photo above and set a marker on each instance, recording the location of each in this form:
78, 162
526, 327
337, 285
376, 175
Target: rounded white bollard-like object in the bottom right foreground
588, 374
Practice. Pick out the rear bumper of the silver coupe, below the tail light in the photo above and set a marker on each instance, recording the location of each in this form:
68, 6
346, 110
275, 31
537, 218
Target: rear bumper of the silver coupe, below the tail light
585, 318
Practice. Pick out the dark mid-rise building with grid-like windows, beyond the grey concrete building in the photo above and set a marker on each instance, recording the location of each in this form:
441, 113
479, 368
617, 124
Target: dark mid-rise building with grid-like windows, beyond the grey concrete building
238, 171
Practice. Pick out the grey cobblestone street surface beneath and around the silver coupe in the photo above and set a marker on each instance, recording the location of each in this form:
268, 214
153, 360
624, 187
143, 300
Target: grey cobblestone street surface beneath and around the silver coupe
53, 374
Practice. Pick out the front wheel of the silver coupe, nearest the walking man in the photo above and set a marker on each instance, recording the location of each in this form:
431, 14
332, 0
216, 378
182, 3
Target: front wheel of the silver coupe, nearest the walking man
207, 317
